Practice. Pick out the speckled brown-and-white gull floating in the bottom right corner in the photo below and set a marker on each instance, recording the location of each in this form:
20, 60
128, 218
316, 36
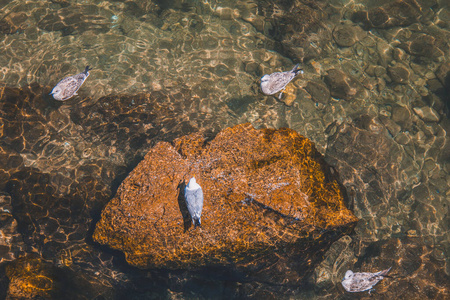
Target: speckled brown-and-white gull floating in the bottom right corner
360, 282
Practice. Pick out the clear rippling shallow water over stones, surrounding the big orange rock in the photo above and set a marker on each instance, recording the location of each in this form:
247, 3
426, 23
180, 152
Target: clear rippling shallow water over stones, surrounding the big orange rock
165, 69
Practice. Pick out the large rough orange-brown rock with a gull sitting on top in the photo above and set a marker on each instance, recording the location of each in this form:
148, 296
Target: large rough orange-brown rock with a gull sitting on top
271, 206
